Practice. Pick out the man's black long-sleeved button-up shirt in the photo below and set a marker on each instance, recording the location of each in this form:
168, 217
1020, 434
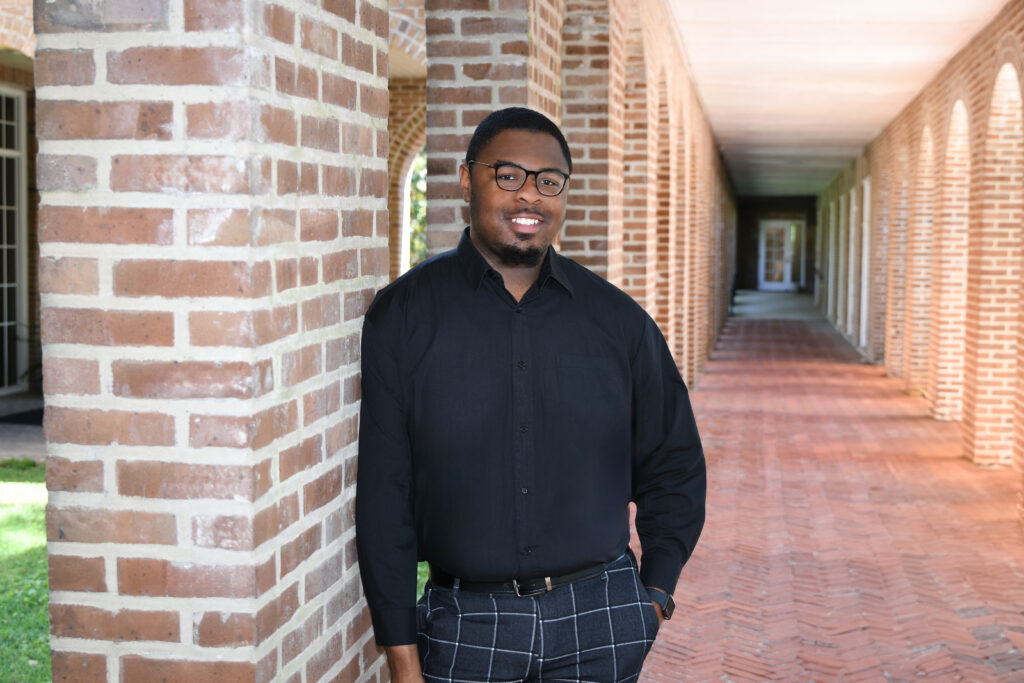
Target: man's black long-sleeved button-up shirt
503, 440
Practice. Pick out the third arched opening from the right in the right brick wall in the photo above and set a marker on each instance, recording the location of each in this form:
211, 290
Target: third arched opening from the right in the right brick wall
919, 271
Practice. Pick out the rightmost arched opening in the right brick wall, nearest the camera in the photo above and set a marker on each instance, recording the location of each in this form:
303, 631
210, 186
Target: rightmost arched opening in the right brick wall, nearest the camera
994, 280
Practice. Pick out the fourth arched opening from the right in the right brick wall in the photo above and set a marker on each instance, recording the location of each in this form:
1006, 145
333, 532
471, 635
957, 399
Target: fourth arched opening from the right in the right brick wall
897, 282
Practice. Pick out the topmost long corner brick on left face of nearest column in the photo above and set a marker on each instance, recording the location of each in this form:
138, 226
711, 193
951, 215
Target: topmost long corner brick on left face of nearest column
178, 66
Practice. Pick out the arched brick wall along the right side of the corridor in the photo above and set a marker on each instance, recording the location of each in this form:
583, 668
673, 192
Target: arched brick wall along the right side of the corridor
954, 161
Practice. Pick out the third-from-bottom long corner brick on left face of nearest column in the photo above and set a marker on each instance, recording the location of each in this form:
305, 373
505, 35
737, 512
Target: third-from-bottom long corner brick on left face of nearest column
182, 481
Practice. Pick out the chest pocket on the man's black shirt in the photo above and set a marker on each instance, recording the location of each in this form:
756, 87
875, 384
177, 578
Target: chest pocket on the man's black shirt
591, 386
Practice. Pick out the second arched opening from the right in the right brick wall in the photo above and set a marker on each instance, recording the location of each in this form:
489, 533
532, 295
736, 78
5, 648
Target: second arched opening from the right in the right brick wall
946, 376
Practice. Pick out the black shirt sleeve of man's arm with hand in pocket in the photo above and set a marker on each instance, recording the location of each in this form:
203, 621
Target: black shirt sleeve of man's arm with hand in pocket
669, 475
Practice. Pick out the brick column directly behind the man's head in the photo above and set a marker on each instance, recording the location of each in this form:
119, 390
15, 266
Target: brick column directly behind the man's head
483, 56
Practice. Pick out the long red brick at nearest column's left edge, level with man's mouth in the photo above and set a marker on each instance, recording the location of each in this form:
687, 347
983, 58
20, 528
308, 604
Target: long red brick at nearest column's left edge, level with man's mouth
106, 226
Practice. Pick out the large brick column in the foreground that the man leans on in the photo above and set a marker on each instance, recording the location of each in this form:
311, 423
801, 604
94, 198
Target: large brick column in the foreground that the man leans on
218, 236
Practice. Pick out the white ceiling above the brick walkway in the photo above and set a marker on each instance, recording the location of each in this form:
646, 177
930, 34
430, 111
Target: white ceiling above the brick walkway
794, 90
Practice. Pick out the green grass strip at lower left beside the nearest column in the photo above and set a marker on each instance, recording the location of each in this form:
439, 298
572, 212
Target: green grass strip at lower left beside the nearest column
25, 641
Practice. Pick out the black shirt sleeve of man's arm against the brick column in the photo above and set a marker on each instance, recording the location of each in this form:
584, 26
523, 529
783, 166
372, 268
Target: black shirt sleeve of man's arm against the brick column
386, 534
